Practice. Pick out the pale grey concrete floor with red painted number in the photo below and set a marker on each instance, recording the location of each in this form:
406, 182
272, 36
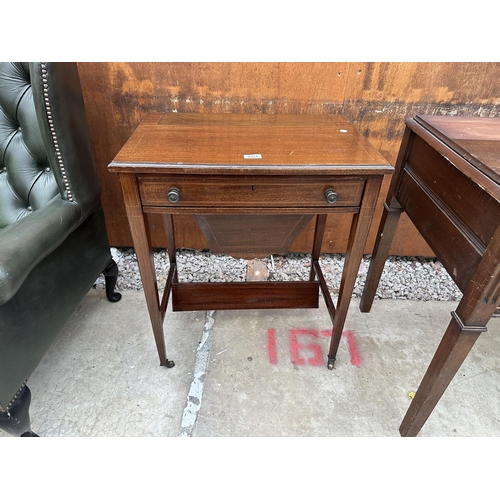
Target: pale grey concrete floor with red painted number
102, 376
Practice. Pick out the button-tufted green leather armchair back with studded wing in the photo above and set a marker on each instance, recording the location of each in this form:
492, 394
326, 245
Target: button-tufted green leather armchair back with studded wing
45, 148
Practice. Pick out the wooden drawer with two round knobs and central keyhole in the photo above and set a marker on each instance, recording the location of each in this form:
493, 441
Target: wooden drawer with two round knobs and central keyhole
189, 191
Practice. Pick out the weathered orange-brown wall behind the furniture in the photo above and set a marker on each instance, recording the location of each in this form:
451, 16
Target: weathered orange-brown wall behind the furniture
376, 97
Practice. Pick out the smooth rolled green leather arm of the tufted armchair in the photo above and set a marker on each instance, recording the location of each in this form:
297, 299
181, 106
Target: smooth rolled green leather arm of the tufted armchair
26, 242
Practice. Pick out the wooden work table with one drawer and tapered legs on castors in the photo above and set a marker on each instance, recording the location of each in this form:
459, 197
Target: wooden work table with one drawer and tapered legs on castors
252, 182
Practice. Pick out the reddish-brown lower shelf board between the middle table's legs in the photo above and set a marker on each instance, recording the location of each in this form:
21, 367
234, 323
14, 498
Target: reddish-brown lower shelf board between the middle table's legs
246, 295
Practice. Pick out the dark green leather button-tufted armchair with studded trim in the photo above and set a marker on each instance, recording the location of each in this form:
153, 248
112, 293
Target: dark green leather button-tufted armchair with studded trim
53, 241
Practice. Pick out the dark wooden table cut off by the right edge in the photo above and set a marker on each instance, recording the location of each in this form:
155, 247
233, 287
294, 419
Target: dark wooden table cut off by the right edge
447, 180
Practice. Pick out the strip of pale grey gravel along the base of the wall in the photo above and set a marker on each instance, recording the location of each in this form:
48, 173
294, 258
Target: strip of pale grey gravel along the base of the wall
406, 278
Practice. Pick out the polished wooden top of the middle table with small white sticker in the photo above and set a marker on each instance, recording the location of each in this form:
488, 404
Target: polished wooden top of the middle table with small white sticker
257, 144
